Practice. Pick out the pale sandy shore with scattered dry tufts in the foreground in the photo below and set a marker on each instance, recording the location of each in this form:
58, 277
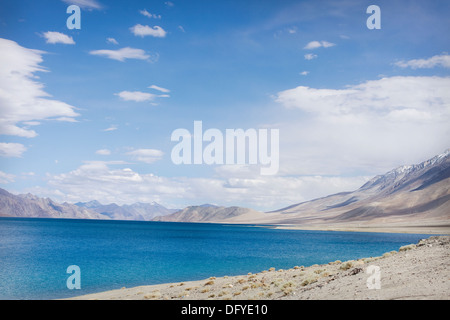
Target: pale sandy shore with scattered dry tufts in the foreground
416, 271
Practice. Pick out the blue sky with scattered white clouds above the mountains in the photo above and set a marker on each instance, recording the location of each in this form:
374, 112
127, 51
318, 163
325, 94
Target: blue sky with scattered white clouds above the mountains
88, 114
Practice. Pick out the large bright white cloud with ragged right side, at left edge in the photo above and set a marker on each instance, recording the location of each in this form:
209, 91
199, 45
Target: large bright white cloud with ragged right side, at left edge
22, 98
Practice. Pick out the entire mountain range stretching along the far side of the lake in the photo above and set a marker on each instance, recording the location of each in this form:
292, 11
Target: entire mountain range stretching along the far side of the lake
408, 196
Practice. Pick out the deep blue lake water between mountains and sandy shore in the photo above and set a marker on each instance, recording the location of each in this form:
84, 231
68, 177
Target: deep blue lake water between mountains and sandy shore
35, 253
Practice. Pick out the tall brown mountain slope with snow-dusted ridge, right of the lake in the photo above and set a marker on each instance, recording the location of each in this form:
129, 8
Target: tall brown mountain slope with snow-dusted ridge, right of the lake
407, 196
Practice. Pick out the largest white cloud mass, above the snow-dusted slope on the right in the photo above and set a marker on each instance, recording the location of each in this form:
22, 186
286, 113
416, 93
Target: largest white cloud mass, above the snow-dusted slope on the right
370, 128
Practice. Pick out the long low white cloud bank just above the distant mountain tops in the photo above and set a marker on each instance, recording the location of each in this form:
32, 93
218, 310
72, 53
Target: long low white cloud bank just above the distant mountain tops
103, 182
